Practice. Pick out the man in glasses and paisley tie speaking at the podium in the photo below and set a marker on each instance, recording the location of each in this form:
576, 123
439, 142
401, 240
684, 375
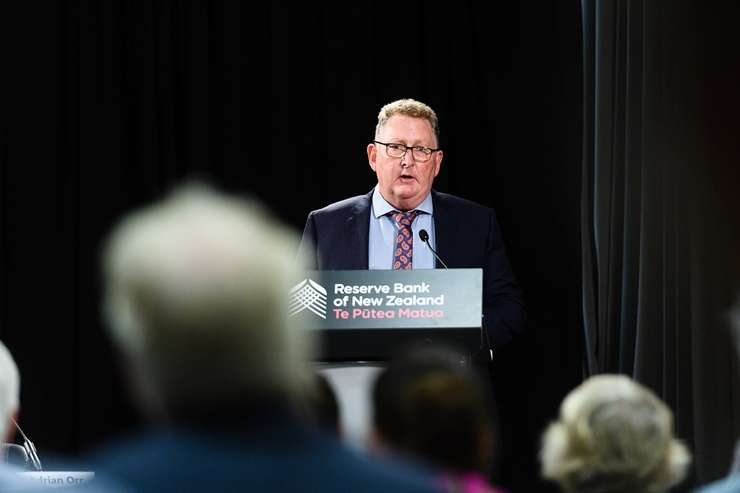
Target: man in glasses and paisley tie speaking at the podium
402, 221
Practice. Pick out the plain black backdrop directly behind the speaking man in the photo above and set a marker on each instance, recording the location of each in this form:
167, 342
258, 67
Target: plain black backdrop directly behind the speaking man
107, 105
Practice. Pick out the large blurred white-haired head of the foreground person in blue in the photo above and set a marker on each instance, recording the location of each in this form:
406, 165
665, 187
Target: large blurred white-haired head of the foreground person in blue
196, 296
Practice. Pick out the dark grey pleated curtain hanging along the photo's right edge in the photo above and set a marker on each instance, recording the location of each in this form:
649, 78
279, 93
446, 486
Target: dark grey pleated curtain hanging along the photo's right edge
661, 211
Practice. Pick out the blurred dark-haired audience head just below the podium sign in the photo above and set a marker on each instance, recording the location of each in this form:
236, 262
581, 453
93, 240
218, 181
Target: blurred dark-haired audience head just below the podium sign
429, 406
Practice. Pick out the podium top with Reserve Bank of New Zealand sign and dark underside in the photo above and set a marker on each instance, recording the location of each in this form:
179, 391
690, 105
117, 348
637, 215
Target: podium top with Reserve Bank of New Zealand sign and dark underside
364, 315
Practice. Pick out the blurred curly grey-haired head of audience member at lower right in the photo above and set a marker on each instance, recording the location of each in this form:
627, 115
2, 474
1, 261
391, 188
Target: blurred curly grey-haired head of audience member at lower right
613, 436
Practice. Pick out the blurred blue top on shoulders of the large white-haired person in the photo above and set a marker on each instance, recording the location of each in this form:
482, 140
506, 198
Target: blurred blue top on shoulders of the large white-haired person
270, 454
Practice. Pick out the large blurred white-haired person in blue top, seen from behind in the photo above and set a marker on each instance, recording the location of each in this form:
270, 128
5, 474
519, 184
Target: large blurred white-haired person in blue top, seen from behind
196, 301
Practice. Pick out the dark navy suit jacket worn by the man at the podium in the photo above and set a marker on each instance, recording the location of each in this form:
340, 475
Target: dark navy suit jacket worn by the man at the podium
467, 236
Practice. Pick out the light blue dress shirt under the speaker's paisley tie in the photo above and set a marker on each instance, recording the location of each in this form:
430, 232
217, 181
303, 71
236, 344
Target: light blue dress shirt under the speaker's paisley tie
383, 231
